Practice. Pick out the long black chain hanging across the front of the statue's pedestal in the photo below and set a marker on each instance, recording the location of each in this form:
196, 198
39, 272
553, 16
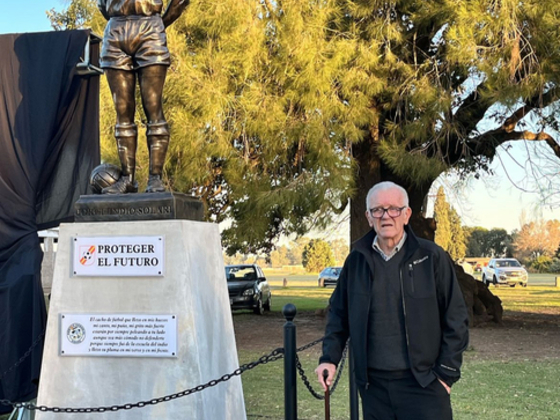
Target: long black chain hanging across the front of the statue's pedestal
271, 357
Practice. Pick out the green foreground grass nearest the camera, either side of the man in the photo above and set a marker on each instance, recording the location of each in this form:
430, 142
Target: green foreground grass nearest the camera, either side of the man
493, 390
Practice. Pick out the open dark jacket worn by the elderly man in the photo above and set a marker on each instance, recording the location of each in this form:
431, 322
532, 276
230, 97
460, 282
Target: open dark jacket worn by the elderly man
434, 310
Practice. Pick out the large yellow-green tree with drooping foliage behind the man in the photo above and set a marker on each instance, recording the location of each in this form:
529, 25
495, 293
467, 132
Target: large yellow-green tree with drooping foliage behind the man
281, 111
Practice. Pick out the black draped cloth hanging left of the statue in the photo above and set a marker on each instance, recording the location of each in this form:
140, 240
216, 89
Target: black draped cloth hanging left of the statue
49, 143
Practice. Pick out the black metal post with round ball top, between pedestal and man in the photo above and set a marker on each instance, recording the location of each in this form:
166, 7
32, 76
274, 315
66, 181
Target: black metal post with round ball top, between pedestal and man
290, 391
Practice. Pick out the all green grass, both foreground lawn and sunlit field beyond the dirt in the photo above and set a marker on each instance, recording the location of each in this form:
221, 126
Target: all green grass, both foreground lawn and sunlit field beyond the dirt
489, 389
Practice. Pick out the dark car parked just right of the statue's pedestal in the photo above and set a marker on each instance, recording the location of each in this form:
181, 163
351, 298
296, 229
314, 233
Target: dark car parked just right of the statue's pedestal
248, 288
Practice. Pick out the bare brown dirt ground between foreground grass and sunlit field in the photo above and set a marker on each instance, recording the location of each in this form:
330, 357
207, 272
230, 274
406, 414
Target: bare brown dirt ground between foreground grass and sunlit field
523, 336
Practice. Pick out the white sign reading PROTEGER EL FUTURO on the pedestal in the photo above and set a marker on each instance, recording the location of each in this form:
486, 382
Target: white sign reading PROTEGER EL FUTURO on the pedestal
137, 256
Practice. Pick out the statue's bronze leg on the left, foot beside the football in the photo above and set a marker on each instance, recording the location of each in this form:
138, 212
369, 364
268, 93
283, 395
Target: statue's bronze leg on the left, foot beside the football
122, 85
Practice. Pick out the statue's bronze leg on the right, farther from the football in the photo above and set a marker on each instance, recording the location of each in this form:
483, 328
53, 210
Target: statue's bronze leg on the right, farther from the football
151, 80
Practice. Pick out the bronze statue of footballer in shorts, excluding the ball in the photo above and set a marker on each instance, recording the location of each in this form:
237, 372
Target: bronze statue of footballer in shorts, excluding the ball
135, 46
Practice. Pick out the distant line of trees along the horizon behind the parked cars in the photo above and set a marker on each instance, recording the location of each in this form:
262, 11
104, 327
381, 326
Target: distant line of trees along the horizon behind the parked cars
536, 244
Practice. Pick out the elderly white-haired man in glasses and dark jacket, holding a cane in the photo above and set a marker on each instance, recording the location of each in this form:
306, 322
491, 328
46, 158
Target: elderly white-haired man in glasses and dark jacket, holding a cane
397, 298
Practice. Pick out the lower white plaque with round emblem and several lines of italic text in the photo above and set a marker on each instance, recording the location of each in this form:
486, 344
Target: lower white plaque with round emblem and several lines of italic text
121, 335
